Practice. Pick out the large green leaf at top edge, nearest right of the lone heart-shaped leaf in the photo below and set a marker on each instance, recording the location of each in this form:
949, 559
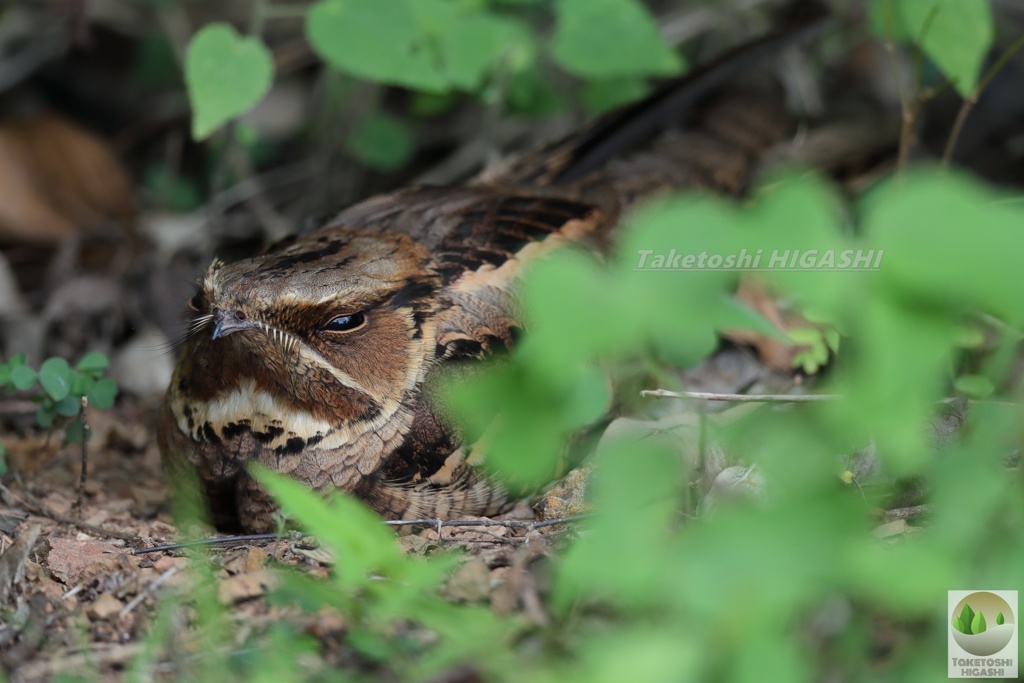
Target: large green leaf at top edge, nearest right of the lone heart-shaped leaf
378, 41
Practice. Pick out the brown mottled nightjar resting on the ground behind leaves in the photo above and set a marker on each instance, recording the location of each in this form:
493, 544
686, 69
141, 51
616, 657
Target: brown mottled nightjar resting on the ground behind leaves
316, 360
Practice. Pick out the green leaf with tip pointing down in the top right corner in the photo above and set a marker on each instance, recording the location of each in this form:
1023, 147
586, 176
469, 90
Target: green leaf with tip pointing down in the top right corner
955, 34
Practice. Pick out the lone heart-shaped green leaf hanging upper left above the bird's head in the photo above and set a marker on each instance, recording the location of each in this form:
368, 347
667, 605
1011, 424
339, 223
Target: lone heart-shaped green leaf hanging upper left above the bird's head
227, 75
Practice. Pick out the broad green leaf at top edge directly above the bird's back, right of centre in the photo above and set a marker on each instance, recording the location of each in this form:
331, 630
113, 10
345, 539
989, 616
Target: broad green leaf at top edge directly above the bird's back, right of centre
602, 39
